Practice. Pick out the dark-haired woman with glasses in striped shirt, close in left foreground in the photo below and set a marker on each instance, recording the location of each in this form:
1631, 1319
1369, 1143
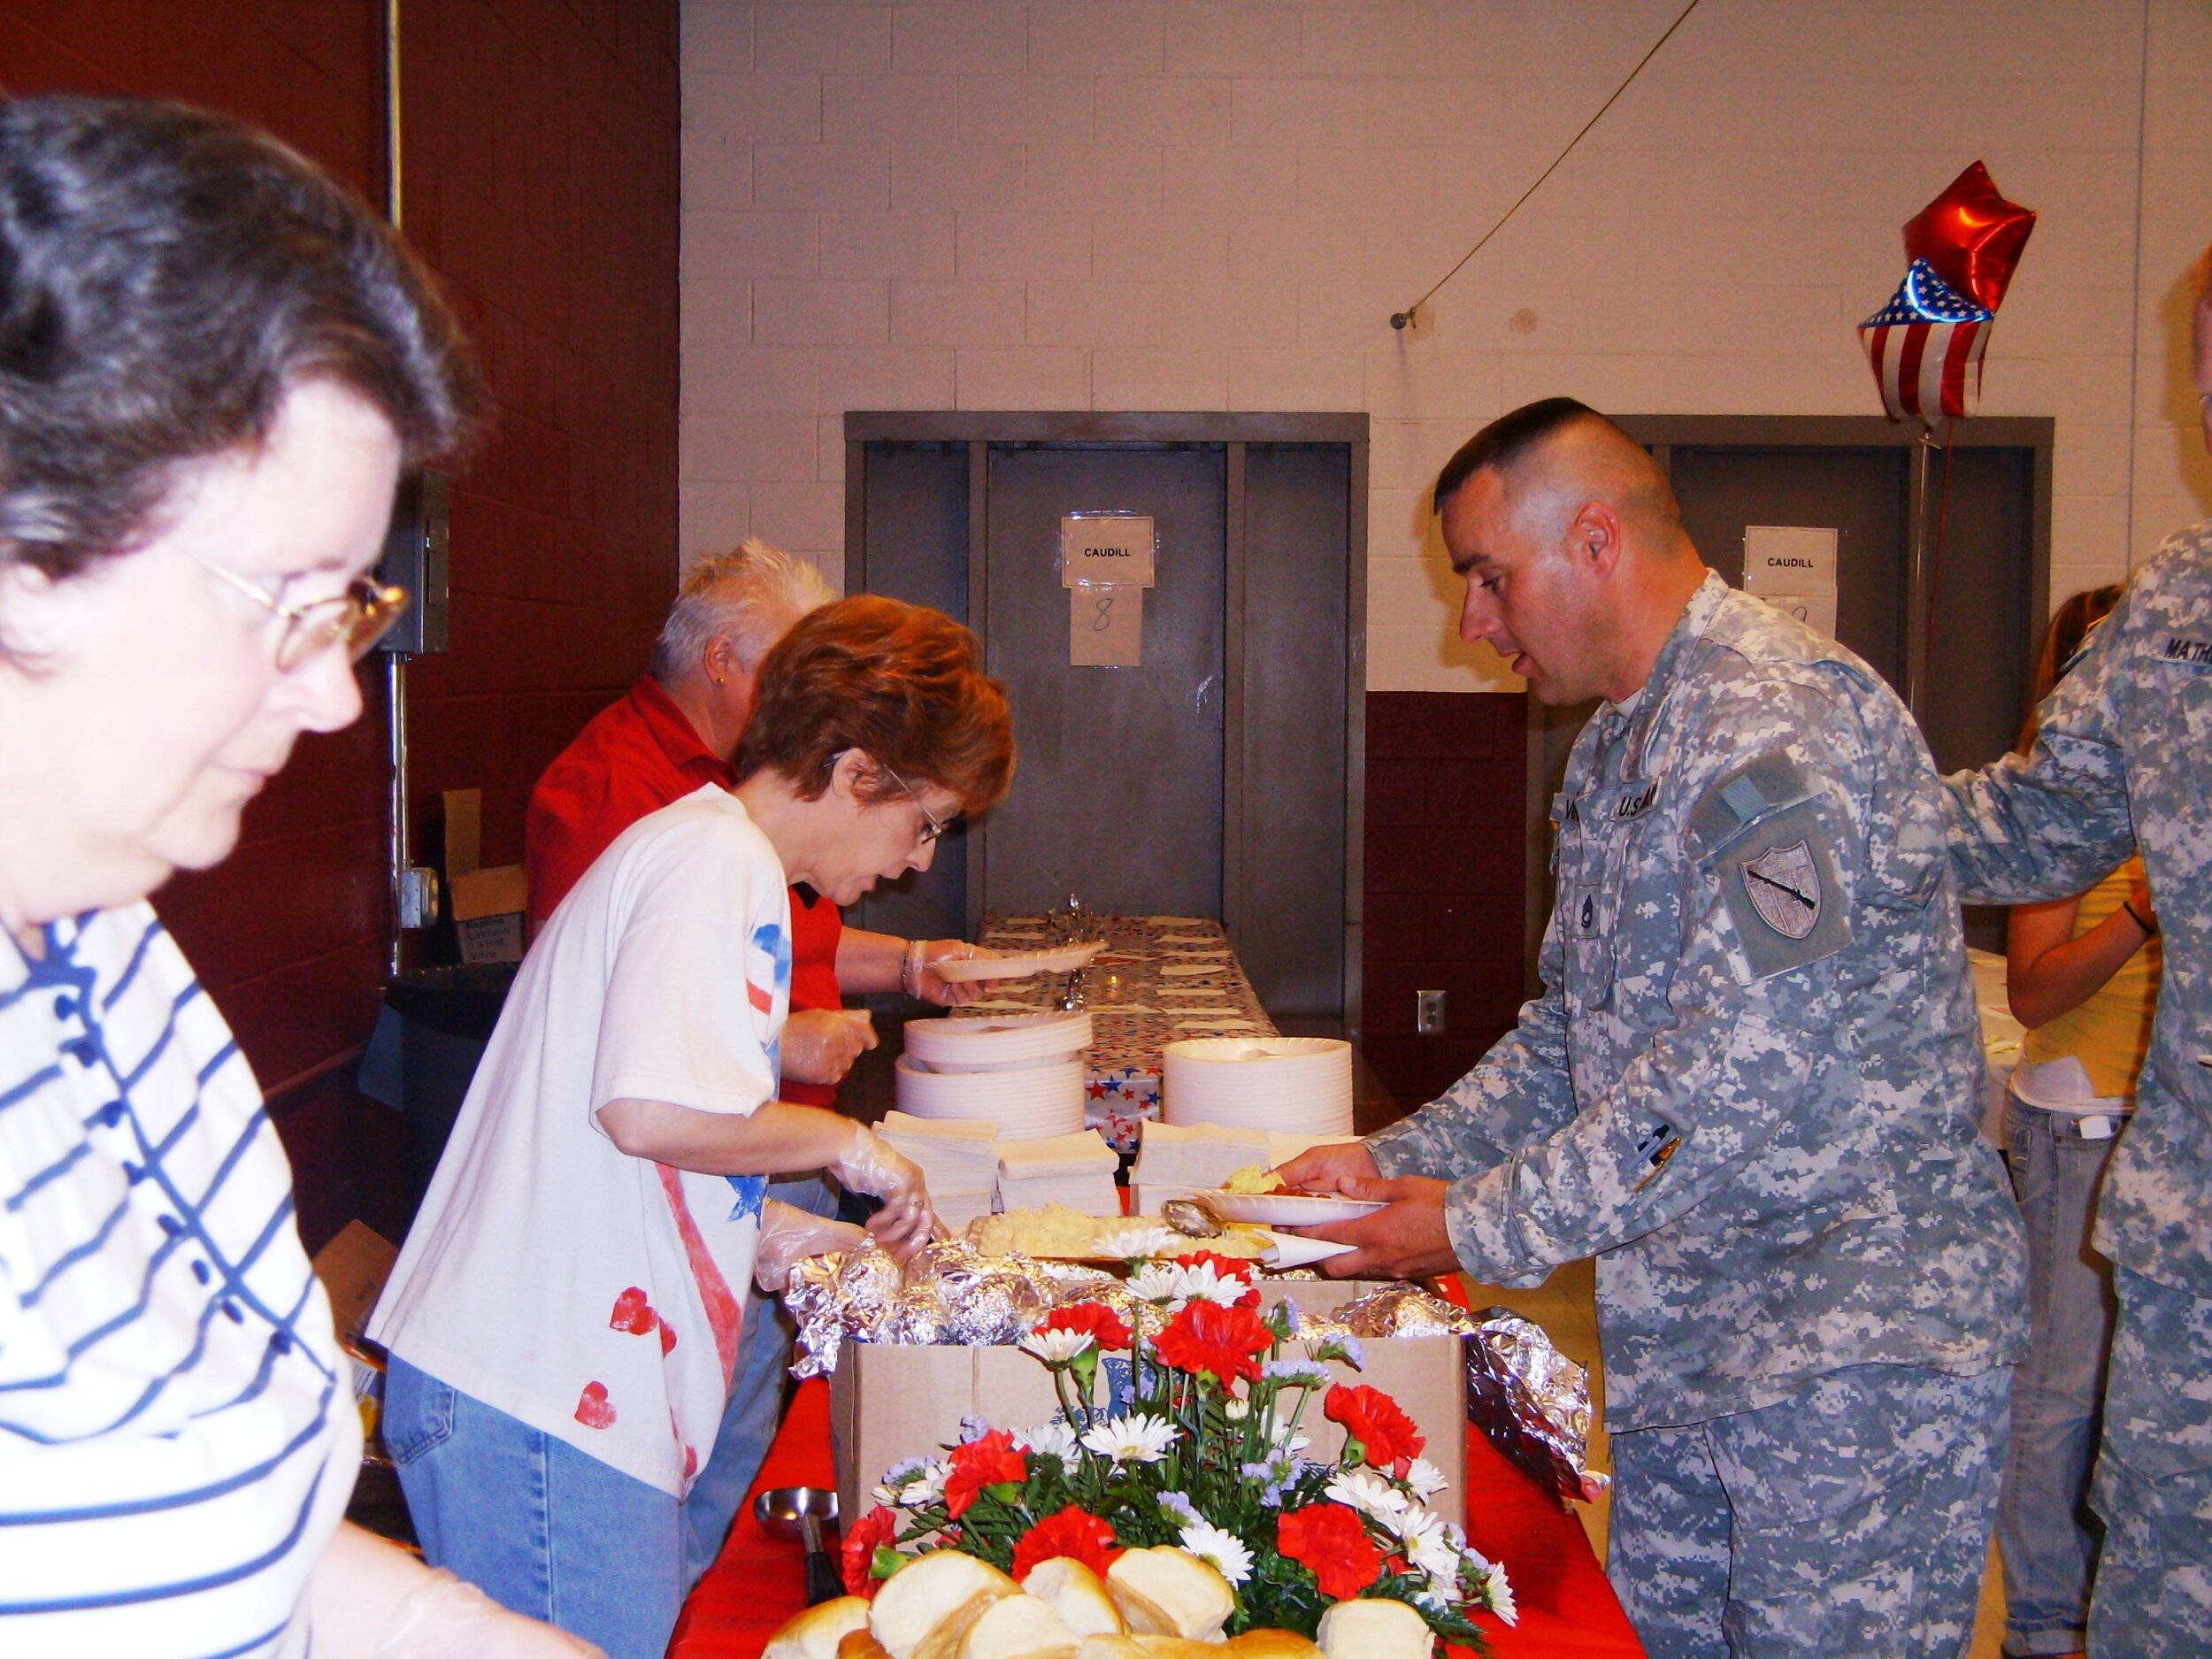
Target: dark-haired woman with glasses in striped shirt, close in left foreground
213, 366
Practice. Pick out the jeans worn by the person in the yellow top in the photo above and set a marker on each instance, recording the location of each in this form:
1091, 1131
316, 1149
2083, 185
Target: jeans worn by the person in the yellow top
2045, 1530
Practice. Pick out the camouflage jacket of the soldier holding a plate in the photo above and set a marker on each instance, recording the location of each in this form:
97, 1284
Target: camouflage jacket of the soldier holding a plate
1753, 1078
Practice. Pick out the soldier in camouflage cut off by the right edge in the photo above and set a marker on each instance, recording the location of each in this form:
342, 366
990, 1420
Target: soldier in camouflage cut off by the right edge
2125, 764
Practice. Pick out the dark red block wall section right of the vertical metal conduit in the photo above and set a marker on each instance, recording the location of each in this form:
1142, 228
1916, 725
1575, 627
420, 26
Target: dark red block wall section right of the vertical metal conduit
541, 178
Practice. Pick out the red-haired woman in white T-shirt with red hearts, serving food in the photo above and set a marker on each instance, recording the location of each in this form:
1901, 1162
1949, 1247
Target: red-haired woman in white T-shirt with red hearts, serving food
565, 1315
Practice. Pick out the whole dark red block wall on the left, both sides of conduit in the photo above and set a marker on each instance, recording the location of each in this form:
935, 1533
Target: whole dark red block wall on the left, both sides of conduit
541, 169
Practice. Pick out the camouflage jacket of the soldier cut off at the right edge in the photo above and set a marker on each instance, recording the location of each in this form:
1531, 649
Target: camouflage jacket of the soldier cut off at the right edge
2122, 764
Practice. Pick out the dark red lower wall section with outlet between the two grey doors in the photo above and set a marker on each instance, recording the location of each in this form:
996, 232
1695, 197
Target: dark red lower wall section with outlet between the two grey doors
1446, 800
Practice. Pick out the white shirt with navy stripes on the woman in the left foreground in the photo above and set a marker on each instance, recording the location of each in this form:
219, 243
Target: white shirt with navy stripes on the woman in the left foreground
178, 1434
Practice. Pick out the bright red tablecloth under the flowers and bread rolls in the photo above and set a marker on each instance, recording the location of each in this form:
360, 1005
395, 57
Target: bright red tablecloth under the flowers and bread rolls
1563, 1594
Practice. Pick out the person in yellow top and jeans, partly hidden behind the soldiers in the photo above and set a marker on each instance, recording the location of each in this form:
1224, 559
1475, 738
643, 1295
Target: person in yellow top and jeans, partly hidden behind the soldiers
2083, 974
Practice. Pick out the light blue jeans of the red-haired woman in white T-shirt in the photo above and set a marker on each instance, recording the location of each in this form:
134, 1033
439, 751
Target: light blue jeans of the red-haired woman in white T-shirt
534, 1523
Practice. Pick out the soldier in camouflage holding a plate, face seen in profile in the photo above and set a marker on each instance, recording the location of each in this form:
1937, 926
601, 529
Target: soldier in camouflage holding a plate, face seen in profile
1749, 1087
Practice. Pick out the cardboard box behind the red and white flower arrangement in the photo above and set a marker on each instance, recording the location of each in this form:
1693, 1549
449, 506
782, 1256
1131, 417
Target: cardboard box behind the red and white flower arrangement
895, 1401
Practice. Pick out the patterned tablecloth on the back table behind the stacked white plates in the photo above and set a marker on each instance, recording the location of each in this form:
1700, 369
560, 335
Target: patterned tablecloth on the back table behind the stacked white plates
1158, 981
